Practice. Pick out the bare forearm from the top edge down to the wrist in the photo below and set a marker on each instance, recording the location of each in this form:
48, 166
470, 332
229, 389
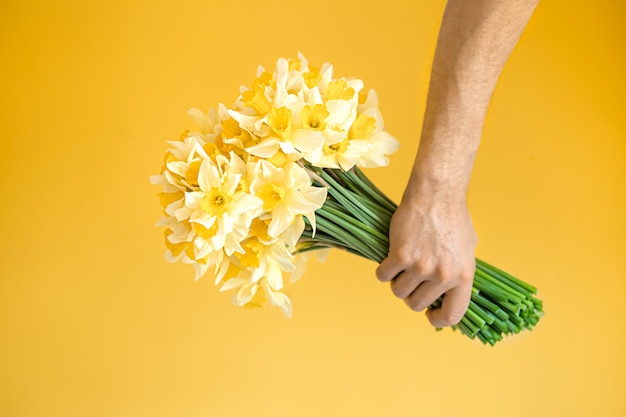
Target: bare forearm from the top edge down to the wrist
475, 40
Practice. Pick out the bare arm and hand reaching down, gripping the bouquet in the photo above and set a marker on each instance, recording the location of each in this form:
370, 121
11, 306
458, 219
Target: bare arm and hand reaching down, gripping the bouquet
432, 239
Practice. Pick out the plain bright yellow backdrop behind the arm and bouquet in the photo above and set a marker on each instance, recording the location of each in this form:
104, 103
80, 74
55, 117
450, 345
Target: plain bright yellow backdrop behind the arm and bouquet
94, 322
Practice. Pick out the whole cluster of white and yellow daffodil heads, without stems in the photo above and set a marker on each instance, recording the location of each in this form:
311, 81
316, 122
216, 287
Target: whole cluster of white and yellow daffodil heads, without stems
236, 191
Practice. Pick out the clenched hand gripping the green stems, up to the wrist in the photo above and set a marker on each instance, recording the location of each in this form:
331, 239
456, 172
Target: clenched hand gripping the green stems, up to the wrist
431, 253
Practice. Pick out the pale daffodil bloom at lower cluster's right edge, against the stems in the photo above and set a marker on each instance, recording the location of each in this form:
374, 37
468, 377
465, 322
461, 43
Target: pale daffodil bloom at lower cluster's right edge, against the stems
286, 193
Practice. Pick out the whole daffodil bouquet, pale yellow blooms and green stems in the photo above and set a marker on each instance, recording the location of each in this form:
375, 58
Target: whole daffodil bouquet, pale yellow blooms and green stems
259, 186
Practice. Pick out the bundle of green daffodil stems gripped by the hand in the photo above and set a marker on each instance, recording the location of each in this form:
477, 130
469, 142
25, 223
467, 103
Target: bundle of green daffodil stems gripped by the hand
356, 217
